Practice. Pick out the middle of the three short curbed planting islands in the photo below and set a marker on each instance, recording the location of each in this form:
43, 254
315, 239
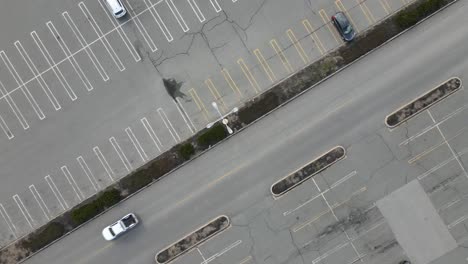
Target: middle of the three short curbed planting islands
321, 163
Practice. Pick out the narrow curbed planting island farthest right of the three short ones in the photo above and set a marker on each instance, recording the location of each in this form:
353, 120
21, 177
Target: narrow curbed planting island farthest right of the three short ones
423, 102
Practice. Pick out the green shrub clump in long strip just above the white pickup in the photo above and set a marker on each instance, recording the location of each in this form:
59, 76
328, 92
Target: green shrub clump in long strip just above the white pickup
90, 210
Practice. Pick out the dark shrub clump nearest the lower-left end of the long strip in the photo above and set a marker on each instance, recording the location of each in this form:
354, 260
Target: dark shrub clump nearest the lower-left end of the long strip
51, 232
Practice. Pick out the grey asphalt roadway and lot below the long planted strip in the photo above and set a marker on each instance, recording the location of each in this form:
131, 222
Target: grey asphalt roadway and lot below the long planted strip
333, 217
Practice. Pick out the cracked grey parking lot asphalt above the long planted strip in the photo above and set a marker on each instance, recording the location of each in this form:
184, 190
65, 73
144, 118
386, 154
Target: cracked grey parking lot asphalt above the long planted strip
81, 97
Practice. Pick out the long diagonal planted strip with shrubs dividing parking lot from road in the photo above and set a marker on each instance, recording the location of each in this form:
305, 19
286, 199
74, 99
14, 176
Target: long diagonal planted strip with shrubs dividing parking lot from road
260, 106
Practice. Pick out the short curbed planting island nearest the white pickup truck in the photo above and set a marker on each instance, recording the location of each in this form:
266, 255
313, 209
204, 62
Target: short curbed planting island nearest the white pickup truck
187, 243
